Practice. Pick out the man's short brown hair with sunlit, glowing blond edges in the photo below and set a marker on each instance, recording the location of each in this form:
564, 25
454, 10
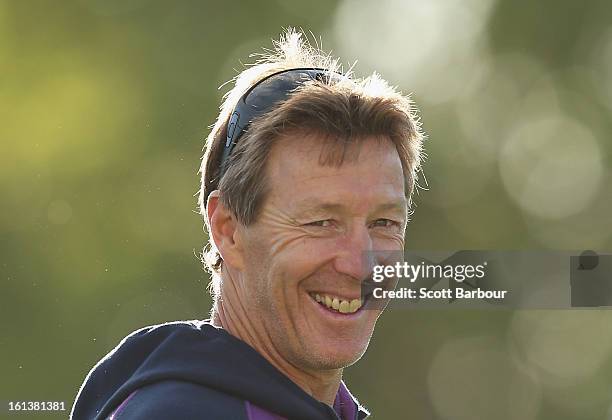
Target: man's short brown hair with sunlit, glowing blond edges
344, 111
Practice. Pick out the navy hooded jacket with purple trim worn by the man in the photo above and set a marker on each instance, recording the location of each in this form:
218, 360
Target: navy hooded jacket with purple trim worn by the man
193, 370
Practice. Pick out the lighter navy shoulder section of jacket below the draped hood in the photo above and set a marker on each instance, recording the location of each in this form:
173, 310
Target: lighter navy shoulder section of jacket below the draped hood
178, 399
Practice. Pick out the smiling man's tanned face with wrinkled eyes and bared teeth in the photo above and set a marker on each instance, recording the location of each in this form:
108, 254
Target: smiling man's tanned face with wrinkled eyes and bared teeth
307, 247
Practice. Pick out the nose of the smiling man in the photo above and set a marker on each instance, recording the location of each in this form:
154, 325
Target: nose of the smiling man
354, 253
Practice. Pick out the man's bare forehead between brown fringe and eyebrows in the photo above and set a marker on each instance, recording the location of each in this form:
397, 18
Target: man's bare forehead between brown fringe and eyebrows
299, 167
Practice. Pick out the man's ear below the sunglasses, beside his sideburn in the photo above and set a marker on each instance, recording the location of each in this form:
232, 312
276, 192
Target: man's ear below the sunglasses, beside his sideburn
223, 228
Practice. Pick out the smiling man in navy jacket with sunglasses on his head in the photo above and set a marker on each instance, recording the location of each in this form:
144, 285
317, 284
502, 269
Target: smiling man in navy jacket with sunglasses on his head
305, 170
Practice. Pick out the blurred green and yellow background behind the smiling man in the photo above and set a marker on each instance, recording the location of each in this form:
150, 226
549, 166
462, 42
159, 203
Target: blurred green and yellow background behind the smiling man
104, 105
